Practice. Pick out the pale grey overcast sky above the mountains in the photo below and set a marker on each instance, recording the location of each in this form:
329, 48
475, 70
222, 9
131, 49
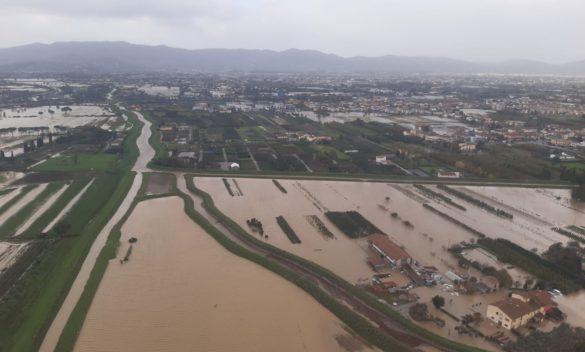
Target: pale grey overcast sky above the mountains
480, 30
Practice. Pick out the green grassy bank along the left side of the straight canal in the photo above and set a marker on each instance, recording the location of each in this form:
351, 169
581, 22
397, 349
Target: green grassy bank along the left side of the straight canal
28, 309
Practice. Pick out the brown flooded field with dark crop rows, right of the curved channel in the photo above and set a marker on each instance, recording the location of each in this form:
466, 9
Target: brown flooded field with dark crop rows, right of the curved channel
428, 238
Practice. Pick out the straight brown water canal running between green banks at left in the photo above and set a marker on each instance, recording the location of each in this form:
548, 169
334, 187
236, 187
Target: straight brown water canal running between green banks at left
58, 324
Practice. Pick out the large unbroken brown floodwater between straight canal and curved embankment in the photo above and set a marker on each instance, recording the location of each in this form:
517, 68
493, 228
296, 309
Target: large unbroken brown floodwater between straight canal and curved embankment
181, 291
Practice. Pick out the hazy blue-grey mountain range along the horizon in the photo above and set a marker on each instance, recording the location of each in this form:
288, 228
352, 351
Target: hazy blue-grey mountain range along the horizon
122, 57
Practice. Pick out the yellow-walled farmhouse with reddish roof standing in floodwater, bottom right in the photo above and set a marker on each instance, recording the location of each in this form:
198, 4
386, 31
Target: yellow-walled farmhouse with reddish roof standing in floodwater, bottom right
519, 308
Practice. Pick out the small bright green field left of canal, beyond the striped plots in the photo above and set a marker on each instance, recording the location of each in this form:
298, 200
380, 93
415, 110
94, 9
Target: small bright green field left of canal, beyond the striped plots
79, 162
